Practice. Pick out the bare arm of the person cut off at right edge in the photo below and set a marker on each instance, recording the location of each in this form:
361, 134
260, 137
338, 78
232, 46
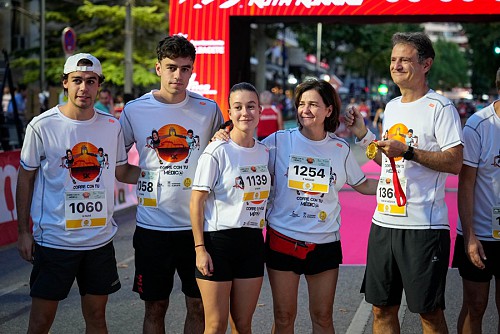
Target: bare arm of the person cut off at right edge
466, 186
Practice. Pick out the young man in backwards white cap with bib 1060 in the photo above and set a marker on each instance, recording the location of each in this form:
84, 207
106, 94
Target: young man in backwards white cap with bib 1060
71, 206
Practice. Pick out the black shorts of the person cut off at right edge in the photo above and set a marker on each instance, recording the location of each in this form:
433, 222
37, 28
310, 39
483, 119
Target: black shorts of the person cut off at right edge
469, 271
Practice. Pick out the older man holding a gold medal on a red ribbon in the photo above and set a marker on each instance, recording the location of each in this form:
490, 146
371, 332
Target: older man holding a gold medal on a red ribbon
409, 245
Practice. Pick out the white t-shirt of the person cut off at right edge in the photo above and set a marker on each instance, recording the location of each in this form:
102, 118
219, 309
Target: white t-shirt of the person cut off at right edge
482, 151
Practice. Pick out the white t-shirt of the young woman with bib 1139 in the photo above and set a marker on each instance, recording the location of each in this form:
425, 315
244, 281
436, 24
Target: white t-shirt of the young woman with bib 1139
228, 172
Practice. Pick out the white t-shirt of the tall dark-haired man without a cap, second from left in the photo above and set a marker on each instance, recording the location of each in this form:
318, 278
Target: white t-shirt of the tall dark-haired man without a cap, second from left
184, 130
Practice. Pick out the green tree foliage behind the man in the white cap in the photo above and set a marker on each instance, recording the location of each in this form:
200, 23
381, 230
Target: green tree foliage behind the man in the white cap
100, 31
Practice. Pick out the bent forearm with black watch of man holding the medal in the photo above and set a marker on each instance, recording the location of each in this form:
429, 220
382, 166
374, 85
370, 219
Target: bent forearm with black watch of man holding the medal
448, 161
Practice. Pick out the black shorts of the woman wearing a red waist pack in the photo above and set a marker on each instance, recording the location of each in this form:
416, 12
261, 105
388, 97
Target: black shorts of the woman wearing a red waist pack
324, 257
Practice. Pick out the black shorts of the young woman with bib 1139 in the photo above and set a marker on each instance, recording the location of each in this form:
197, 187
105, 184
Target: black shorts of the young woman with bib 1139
235, 253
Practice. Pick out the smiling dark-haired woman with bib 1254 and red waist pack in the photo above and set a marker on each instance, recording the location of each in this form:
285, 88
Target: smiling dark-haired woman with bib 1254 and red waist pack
303, 217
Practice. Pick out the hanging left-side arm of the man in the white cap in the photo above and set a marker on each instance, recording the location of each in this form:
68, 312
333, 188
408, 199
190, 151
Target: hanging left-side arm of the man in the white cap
24, 196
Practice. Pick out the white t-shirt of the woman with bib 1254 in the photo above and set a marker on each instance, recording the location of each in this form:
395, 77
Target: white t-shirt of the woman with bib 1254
304, 215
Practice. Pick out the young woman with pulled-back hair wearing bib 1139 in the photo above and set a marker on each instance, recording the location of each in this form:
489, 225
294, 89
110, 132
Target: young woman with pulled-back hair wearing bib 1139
228, 205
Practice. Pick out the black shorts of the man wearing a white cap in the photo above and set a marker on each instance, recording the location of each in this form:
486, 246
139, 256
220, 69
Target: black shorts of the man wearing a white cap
55, 270
